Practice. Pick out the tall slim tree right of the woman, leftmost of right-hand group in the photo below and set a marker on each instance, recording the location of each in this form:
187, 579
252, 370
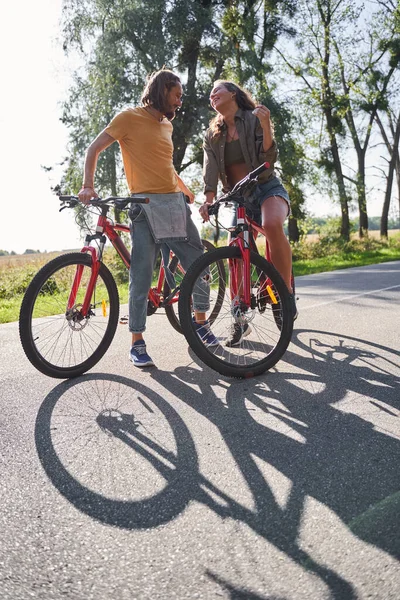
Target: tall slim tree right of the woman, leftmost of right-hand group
320, 25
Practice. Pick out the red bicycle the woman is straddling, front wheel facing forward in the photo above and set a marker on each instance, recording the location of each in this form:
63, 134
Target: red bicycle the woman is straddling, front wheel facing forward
256, 310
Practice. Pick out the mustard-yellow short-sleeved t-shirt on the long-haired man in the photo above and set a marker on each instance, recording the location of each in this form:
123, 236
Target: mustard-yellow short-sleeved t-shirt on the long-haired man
146, 147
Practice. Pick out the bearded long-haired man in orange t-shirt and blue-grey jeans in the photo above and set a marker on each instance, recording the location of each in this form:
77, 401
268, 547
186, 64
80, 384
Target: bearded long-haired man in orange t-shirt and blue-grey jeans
144, 134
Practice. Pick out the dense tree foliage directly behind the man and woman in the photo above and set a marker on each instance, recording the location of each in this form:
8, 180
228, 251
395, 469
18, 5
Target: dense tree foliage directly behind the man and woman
203, 40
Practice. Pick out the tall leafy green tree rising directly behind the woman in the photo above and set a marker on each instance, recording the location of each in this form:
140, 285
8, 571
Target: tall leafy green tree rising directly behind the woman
253, 29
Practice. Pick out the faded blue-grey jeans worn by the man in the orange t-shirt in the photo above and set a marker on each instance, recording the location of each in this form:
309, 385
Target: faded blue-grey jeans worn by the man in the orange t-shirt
143, 256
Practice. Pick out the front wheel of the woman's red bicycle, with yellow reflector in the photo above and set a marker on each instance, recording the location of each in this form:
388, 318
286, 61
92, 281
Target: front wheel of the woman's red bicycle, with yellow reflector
248, 339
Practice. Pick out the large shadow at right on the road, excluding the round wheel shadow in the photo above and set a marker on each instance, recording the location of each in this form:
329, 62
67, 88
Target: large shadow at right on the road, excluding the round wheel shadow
331, 428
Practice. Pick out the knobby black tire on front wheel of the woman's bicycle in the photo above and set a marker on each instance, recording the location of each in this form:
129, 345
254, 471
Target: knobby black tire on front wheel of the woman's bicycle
251, 357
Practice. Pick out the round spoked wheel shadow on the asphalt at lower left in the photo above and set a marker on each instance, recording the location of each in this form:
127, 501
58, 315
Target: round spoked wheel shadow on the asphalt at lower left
111, 419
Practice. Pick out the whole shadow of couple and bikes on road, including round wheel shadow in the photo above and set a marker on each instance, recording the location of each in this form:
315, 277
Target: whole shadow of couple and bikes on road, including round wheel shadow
328, 426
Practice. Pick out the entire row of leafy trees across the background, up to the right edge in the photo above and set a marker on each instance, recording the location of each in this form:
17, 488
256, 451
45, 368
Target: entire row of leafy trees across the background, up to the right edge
340, 94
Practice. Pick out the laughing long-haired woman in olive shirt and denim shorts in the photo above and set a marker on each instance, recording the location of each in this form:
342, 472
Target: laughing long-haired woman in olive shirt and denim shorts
239, 139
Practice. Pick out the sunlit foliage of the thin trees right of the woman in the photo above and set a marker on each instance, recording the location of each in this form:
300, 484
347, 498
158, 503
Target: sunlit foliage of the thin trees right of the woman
344, 62
